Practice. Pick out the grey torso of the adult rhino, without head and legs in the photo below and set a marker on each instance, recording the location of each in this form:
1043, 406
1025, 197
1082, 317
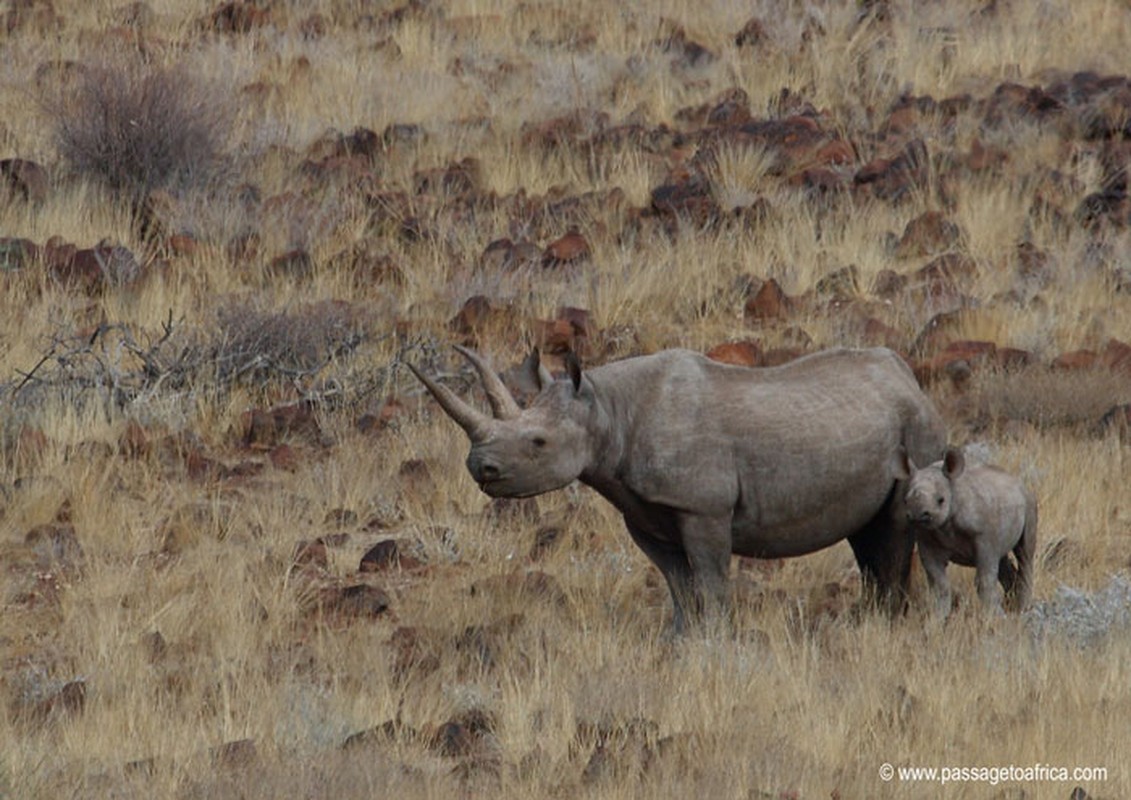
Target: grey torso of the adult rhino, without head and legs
800, 454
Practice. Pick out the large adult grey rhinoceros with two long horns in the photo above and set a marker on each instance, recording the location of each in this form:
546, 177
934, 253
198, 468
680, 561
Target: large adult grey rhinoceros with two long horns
707, 460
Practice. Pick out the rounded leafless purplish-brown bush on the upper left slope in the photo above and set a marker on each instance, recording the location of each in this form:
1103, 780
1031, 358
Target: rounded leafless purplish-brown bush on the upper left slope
136, 127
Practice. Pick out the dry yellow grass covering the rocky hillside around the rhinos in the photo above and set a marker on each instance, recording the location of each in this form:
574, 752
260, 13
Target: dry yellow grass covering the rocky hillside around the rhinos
184, 621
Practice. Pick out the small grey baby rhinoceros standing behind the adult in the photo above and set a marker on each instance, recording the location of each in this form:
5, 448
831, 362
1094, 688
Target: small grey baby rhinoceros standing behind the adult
973, 515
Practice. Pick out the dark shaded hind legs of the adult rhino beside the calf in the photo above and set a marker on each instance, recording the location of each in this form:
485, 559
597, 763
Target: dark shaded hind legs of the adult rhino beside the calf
884, 550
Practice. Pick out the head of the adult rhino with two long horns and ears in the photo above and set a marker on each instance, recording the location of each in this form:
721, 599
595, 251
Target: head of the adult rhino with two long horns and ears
523, 452
